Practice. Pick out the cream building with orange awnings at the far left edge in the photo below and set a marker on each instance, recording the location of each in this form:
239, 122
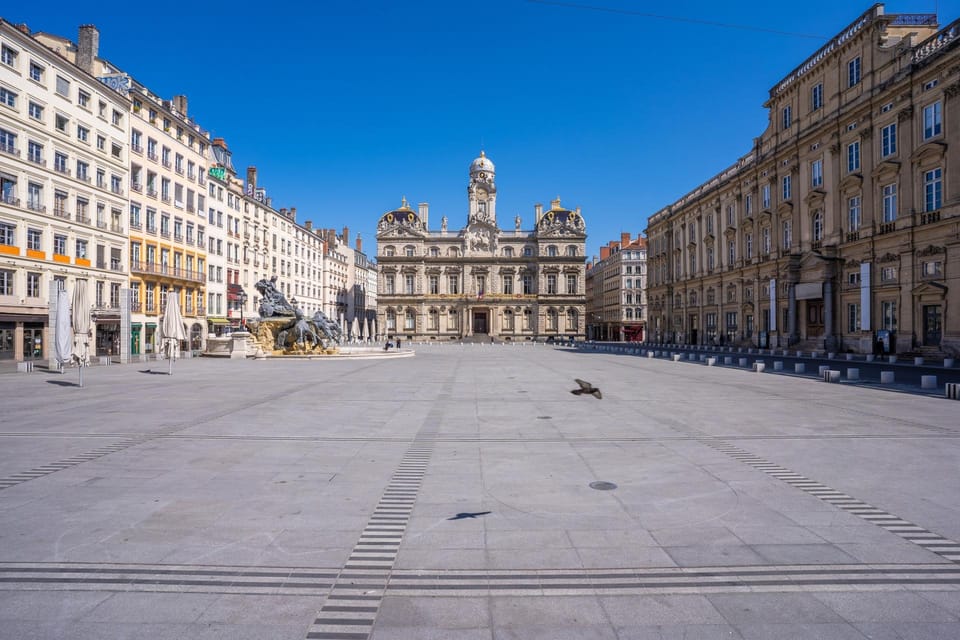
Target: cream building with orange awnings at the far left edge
63, 187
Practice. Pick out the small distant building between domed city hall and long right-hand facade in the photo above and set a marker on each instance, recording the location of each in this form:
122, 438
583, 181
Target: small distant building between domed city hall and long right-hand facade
616, 291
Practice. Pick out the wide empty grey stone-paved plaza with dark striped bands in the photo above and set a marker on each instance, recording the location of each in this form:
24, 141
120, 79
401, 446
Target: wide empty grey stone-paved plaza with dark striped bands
464, 493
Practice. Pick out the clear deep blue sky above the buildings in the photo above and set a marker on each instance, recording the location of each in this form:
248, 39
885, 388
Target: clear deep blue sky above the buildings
344, 107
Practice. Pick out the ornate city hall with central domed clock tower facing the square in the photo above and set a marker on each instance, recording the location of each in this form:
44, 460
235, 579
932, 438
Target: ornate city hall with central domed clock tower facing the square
481, 281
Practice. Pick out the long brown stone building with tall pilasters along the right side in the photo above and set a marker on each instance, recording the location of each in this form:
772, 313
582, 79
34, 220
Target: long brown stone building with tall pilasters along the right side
841, 223
